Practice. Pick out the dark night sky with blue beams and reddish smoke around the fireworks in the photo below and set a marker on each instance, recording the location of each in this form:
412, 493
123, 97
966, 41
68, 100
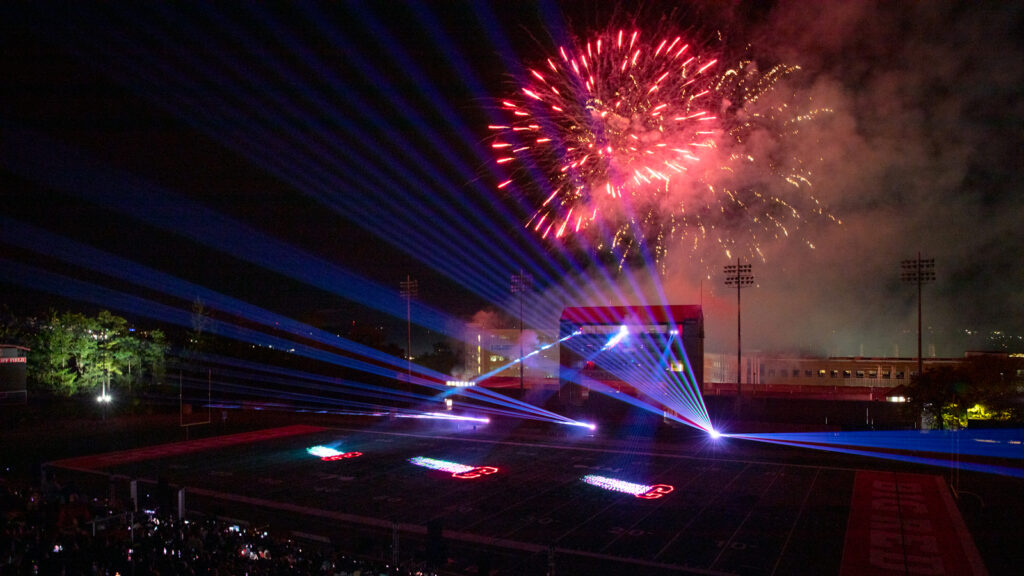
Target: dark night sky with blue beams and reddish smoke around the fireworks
308, 158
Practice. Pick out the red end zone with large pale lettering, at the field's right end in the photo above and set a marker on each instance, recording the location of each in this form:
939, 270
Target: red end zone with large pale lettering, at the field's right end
906, 524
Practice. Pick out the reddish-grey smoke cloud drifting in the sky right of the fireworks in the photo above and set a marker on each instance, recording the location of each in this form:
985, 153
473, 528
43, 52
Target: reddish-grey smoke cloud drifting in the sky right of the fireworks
907, 160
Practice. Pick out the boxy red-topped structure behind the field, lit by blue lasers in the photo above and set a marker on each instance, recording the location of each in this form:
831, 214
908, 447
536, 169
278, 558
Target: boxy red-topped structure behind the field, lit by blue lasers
626, 350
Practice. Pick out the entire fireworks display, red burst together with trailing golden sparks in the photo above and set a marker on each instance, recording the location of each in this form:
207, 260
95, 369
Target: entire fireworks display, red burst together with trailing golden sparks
643, 145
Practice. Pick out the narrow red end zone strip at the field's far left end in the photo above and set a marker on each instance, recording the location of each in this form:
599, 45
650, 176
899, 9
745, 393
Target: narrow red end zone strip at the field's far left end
175, 449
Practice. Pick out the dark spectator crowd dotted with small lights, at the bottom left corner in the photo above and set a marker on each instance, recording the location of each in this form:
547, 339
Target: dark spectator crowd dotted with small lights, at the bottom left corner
56, 530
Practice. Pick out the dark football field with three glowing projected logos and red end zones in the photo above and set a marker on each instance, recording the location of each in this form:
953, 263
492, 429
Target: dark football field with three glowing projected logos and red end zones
565, 506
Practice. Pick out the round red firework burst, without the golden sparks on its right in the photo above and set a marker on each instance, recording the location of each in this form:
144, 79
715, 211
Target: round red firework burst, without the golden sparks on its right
612, 124
